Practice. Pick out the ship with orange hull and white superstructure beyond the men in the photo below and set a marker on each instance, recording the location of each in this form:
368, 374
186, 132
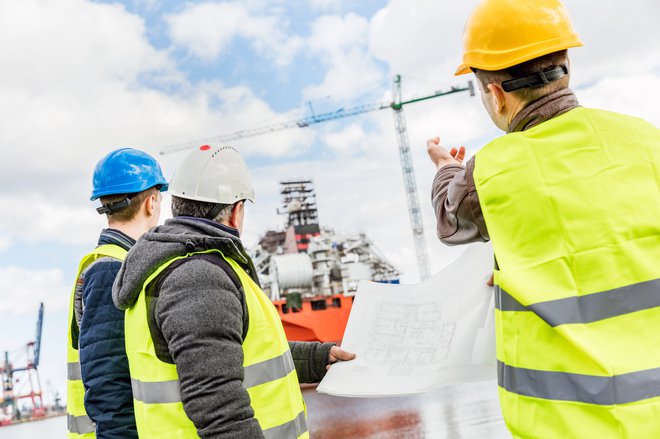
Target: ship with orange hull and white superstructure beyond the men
310, 272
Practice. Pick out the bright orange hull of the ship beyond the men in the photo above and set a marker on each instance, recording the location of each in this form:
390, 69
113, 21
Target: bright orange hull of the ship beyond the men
320, 319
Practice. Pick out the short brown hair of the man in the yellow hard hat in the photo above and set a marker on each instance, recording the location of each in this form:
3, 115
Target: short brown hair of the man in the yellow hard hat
528, 95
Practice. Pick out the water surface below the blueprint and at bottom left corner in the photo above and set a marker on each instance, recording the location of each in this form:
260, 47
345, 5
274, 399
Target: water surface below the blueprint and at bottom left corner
468, 411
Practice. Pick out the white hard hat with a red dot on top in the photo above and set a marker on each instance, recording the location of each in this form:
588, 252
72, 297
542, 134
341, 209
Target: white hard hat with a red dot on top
213, 175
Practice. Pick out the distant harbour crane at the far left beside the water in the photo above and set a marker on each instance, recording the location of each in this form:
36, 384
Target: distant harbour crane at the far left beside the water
30, 370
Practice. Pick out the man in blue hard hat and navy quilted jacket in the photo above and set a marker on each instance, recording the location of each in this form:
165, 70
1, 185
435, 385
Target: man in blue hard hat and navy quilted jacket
128, 183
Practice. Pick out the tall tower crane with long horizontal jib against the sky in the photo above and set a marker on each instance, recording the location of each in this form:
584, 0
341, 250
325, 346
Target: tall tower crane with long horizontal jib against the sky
405, 155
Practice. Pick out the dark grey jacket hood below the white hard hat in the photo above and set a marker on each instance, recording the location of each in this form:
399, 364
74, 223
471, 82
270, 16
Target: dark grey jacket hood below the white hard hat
177, 237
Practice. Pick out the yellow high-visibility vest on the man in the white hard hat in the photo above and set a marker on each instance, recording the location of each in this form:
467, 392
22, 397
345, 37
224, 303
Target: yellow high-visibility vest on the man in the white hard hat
270, 376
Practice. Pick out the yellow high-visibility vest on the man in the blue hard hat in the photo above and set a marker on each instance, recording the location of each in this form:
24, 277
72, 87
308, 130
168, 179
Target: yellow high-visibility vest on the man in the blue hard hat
78, 423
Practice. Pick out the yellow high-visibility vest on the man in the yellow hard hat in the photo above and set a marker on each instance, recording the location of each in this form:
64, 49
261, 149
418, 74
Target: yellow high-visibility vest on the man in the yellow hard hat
572, 207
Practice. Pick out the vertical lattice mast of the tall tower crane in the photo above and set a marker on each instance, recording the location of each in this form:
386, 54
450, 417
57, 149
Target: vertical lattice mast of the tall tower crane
409, 181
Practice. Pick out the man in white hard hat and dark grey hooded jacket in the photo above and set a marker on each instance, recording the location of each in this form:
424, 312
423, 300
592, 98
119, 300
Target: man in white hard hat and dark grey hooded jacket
206, 348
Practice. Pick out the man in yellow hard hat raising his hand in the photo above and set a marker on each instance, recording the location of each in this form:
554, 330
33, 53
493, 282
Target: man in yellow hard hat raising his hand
570, 198
